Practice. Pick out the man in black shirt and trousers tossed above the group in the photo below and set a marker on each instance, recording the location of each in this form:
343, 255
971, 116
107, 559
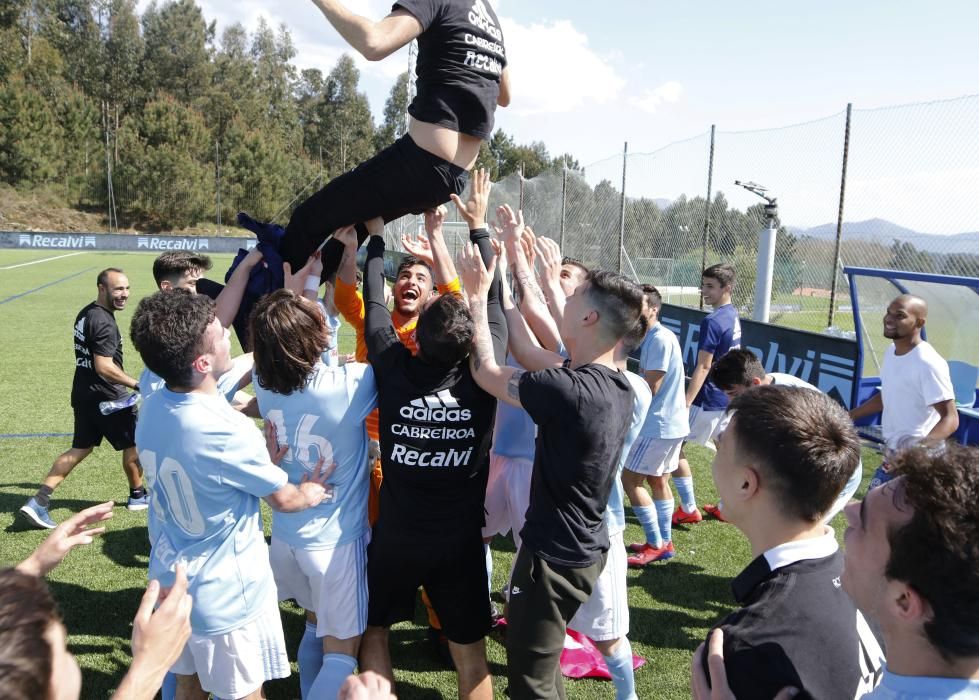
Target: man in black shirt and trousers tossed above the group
461, 78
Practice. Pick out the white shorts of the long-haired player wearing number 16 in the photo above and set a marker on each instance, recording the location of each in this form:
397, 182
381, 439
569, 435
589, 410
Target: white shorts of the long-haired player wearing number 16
332, 583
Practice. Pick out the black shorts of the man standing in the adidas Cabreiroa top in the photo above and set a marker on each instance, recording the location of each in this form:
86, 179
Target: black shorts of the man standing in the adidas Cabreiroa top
452, 571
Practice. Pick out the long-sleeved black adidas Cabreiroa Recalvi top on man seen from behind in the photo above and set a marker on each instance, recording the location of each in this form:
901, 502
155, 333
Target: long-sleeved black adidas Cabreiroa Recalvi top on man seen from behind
436, 424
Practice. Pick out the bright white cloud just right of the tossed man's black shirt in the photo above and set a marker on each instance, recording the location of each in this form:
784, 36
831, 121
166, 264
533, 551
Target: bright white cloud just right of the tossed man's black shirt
553, 70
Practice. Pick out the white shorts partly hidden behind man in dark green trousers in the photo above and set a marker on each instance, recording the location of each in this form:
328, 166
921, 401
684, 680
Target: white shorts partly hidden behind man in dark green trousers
605, 615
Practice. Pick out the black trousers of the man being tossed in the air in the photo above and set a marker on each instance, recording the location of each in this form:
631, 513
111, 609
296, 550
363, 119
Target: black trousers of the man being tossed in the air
402, 179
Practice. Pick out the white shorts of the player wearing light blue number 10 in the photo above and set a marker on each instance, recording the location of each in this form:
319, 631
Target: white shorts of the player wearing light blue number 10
237, 663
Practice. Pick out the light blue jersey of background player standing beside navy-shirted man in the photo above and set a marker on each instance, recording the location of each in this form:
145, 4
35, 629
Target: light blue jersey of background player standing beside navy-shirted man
667, 416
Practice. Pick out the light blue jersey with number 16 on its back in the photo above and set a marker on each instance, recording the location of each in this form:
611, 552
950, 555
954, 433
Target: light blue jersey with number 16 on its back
326, 419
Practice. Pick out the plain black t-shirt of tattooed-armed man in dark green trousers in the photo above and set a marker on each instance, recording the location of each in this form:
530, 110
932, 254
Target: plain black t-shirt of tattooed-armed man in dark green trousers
582, 416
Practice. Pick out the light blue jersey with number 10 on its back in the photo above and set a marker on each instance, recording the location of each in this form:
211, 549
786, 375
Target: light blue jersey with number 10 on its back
207, 467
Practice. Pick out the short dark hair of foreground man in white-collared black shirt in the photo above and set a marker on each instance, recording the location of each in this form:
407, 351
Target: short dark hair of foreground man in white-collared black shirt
802, 441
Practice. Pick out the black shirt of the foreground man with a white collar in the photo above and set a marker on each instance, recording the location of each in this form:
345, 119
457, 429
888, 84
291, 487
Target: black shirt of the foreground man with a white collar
798, 628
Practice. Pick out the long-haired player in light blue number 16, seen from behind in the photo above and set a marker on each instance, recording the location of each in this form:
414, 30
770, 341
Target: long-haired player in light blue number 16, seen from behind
319, 555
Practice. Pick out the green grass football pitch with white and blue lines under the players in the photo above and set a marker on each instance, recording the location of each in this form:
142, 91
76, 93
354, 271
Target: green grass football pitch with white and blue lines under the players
98, 588
